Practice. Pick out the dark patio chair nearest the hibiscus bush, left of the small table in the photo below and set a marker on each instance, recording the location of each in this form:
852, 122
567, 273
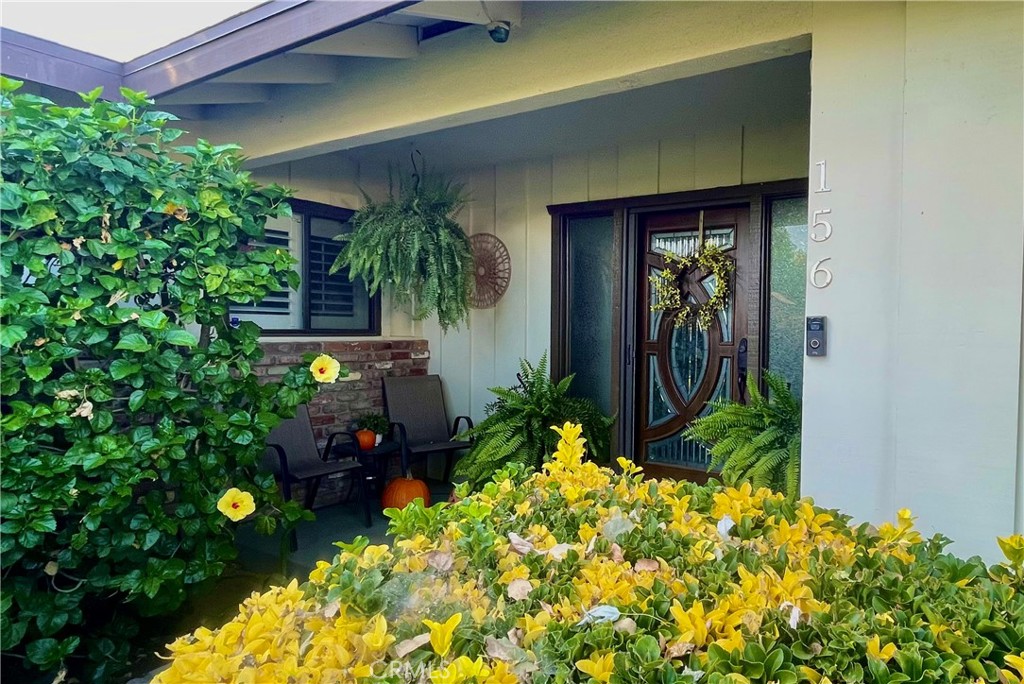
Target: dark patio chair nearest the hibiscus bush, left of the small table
300, 460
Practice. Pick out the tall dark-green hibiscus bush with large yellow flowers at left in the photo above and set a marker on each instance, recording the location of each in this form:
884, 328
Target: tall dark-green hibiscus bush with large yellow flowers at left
130, 403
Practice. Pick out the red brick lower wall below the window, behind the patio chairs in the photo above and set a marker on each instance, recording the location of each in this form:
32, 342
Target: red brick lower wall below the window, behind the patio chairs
338, 405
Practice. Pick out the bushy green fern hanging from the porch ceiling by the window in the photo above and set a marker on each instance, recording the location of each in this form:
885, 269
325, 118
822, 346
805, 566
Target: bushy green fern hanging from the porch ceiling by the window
411, 242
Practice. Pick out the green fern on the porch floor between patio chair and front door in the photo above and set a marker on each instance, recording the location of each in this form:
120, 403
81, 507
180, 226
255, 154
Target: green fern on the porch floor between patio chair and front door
518, 429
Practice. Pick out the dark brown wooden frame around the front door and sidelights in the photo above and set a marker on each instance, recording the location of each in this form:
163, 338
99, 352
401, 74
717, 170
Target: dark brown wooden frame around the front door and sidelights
625, 213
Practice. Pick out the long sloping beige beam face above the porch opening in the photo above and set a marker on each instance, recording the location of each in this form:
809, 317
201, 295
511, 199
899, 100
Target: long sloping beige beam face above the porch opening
564, 53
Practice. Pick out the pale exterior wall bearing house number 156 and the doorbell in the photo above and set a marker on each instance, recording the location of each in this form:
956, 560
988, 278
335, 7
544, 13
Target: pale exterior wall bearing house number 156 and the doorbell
918, 111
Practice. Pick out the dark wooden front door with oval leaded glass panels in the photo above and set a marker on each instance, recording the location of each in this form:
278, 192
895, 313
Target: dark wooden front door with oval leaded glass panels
681, 369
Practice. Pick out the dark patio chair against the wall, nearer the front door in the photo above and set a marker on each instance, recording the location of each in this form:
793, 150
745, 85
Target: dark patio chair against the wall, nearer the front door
415, 406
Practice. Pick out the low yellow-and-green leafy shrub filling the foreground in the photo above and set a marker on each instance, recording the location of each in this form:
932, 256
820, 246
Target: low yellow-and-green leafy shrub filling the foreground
577, 574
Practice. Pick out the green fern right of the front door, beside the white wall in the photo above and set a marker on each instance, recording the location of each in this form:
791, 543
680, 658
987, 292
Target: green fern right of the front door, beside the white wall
757, 442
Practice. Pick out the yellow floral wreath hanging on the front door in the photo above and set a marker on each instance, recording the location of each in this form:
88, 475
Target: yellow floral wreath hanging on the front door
667, 285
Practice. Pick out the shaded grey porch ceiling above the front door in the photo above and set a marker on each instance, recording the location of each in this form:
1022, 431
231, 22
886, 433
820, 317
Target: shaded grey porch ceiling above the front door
777, 92
